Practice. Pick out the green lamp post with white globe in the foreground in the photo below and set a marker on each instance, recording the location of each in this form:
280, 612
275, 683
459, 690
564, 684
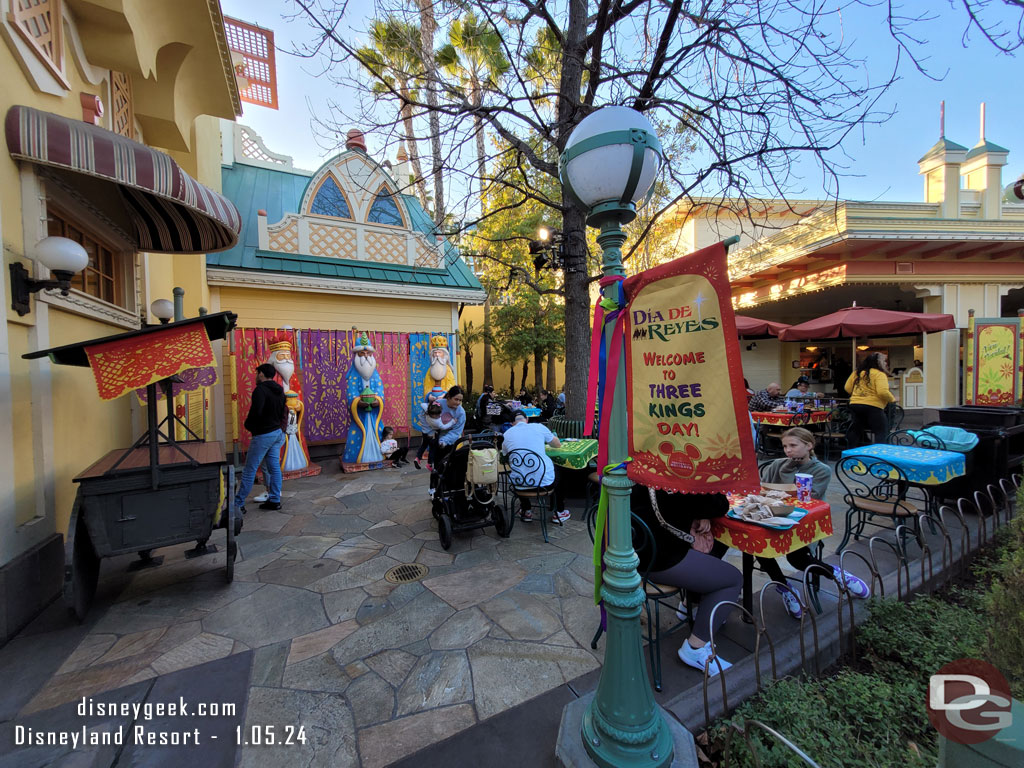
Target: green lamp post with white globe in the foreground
609, 167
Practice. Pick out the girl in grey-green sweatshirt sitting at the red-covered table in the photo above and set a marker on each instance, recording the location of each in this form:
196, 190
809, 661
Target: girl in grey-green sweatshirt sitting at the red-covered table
798, 444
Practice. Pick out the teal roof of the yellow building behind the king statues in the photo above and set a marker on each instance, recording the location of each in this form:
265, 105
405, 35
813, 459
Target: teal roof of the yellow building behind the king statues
280, 192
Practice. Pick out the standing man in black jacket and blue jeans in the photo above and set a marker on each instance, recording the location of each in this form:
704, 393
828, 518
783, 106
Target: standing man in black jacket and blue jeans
266, 420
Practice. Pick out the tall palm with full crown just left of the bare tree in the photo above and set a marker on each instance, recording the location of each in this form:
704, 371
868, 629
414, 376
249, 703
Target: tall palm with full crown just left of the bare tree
474, 56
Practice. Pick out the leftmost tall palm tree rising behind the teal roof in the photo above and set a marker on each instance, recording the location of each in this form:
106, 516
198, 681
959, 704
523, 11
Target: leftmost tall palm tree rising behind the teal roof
394, 61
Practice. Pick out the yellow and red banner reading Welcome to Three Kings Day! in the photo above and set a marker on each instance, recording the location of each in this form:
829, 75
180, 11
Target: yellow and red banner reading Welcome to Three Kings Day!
690, 430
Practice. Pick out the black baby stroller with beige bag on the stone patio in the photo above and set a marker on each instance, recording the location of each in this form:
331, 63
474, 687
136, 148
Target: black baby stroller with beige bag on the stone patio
460, 504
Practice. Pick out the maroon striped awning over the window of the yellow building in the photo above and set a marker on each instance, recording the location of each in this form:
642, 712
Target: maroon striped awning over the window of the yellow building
172, 211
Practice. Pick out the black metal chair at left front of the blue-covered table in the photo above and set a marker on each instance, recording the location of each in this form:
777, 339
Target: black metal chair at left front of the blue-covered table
875, 488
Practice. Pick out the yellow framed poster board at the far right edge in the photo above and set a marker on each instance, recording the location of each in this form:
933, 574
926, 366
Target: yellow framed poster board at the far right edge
994, 361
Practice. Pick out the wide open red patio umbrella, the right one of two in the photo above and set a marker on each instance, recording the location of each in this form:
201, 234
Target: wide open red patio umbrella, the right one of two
864, 321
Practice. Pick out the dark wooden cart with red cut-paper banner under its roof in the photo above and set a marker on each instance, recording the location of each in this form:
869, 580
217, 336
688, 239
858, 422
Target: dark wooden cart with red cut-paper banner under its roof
160, 491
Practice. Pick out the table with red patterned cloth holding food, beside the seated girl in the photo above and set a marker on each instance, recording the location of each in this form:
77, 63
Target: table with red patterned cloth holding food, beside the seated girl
758, 541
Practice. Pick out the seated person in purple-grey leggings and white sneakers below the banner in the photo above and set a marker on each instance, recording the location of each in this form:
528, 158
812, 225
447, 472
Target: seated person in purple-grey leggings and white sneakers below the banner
670, 518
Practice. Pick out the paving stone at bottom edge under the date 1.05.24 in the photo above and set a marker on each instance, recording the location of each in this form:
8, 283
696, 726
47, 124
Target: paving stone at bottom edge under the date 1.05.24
327, 722
